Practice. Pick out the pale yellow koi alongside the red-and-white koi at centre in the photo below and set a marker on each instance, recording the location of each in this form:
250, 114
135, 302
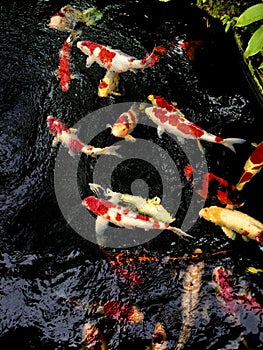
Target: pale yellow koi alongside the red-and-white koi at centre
150, 207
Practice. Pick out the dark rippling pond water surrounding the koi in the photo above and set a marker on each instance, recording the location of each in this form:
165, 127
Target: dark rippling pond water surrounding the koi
54, 276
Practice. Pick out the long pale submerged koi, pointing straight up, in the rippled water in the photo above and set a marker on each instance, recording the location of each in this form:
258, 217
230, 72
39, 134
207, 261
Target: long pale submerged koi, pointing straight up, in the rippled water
190, 298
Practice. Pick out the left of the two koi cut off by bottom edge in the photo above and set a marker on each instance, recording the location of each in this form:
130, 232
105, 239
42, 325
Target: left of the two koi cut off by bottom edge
93, 338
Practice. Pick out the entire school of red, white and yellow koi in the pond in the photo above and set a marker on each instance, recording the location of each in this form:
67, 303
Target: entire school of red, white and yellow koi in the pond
129, 211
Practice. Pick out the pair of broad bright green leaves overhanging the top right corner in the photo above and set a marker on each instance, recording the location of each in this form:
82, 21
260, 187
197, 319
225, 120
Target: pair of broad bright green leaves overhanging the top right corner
251, 15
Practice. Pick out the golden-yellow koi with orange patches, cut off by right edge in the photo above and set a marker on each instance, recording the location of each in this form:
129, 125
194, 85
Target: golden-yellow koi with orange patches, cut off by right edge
233, 221
